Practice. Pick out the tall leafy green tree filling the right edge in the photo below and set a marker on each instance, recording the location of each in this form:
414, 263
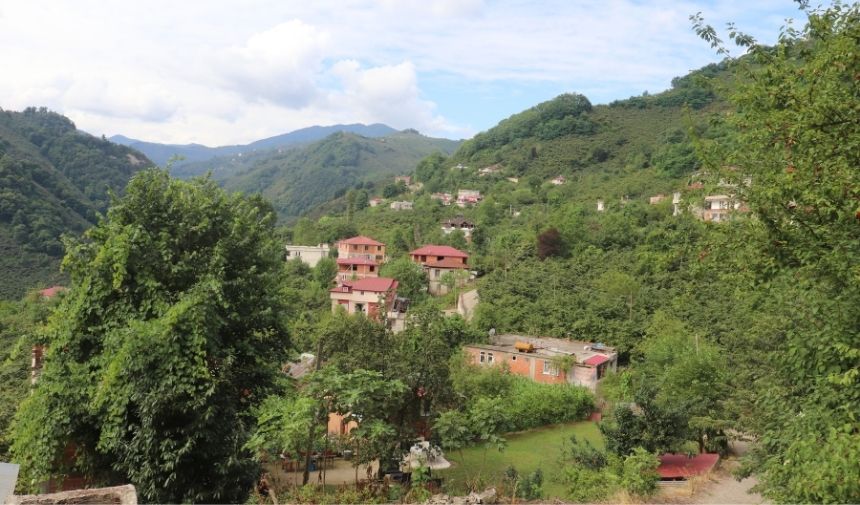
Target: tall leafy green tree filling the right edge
795, 136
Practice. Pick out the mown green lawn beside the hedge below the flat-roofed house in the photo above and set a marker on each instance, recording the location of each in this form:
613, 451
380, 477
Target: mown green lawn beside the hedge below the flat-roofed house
527, 451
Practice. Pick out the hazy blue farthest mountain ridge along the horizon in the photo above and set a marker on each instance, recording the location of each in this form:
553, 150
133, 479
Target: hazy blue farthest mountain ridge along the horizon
161, 153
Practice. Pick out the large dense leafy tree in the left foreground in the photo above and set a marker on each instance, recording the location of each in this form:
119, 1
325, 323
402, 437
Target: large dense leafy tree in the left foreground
170, 334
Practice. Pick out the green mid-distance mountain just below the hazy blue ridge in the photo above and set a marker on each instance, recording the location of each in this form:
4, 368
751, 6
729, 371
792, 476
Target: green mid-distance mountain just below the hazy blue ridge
296, 180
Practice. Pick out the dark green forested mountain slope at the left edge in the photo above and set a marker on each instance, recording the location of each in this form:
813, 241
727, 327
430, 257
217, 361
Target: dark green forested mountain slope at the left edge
54, 179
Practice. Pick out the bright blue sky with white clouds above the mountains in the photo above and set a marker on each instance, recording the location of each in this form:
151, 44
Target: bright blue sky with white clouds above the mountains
217, 72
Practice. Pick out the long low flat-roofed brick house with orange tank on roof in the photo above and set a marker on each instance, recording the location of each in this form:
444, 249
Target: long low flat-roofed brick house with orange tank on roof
542, 359
